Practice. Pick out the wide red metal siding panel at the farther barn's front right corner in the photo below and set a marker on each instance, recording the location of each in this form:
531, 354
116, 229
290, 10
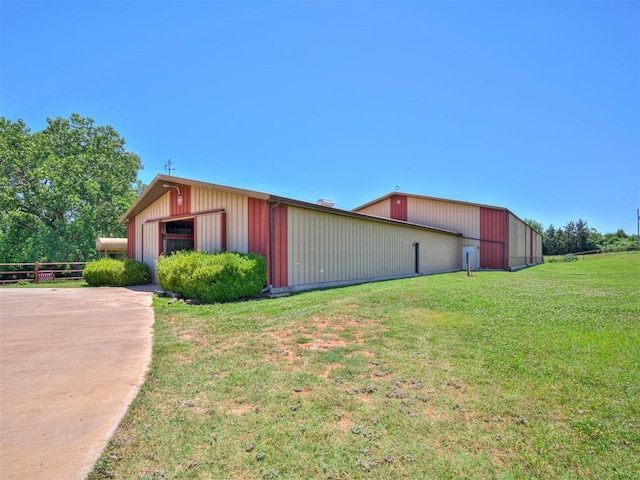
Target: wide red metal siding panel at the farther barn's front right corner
493, 238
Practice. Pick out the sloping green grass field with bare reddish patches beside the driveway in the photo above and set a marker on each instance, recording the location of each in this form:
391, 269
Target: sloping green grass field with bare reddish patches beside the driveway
532, 374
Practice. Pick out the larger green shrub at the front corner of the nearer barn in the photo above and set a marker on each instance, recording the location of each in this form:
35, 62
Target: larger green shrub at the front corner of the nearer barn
213, 277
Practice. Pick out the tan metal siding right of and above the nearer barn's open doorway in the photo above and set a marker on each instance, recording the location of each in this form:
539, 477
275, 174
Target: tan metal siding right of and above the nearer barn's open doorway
236, 208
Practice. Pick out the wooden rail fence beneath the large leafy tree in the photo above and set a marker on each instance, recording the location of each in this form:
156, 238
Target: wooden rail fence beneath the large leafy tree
40, 271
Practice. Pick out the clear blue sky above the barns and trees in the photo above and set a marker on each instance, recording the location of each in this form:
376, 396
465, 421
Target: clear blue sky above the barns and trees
529, 105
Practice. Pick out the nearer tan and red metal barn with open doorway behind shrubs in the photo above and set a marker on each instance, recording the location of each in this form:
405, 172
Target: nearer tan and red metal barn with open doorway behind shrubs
306, 245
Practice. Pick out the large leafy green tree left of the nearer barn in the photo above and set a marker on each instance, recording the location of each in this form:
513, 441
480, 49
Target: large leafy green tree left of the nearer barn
61, 188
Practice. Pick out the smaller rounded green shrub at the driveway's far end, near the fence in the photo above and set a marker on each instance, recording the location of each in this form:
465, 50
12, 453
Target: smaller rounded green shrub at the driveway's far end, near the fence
116, 273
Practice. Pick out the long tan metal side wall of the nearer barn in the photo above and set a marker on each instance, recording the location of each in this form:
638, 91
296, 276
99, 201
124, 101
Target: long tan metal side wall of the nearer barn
330, 248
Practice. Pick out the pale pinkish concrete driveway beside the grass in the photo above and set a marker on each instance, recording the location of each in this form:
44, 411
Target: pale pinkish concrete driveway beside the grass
71, 362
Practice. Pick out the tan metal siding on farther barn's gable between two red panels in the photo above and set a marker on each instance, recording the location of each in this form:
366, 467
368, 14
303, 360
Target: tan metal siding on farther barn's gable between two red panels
456, 217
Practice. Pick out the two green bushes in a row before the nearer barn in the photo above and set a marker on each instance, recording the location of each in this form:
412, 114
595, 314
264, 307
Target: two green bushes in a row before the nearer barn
210, 277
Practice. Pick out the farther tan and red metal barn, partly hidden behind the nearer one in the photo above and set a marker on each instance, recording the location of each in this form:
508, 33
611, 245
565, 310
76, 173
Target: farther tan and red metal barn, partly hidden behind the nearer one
493, 237
